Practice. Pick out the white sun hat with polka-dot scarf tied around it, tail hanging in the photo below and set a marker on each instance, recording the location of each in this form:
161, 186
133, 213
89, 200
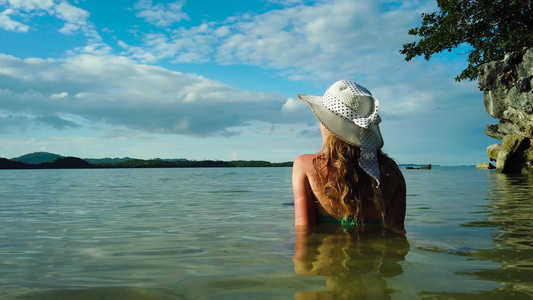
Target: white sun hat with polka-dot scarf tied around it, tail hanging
350, 112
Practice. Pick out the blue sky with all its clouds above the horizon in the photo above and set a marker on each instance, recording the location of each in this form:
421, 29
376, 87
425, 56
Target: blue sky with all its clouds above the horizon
219, 80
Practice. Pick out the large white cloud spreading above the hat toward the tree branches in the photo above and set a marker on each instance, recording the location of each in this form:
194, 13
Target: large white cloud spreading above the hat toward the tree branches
357, 40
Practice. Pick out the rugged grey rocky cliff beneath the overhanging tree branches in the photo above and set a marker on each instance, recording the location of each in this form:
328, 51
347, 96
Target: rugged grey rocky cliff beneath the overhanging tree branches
508, 96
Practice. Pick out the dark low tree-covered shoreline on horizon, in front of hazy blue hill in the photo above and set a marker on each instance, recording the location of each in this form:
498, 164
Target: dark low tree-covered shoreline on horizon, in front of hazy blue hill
70, 162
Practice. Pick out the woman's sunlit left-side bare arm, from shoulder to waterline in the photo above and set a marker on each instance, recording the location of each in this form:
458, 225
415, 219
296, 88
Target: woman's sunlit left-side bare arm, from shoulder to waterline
304, 206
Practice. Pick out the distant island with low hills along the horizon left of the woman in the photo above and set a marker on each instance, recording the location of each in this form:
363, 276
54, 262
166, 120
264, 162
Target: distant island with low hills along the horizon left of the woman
46, 160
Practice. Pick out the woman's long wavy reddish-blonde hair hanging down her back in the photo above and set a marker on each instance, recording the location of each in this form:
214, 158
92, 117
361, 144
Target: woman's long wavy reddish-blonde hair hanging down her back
348, 187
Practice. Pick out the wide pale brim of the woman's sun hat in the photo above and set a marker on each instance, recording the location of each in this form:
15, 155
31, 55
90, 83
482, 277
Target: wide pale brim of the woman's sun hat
341, 127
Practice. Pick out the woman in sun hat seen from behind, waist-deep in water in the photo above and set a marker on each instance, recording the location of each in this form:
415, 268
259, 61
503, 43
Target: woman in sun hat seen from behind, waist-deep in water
350, 181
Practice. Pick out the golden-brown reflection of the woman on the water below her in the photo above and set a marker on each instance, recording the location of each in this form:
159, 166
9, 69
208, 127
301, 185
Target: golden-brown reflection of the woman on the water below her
355, 264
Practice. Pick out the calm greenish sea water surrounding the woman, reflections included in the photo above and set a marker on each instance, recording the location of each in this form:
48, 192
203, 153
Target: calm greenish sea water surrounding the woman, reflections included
229, 234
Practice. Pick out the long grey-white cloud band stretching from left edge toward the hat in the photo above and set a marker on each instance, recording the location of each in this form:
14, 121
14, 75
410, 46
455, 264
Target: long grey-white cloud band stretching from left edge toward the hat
116, 91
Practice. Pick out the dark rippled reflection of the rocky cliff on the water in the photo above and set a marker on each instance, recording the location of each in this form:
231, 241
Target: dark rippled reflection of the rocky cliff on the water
509, 211
